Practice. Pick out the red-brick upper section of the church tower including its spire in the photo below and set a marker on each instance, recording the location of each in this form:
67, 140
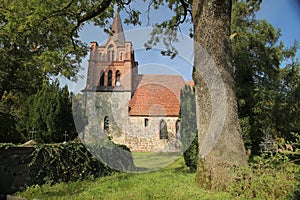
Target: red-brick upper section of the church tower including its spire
112, 67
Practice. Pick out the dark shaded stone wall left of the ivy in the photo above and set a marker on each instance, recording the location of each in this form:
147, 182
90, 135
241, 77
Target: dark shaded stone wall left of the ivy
14, 169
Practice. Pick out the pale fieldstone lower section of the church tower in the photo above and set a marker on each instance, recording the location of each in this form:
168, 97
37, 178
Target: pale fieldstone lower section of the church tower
114, 105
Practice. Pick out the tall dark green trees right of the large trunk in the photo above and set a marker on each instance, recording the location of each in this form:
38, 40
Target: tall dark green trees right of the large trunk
267, 92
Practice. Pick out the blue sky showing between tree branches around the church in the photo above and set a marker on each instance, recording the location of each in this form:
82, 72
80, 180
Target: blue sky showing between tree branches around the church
283, 14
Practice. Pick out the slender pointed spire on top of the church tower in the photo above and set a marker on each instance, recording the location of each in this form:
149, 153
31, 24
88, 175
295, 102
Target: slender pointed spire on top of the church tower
117, 29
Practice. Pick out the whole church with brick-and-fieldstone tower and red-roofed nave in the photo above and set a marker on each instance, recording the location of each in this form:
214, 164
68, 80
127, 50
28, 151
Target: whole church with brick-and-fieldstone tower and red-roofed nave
138, 110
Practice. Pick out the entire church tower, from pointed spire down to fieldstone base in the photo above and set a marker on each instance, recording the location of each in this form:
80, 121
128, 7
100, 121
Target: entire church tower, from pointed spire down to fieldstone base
111, 81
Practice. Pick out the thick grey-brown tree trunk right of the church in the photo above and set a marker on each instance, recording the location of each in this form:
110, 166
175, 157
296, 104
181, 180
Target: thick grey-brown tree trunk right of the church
221, 147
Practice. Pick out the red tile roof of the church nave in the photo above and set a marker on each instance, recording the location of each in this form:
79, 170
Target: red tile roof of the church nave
157, 95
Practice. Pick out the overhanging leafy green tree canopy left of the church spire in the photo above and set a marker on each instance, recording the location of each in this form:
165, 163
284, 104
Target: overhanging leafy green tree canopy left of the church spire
39, 39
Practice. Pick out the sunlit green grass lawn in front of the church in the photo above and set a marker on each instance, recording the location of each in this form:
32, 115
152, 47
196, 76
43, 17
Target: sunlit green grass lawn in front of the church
171, 182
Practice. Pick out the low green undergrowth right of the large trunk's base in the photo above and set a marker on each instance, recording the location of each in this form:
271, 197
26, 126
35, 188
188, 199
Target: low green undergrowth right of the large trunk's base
269, 176
